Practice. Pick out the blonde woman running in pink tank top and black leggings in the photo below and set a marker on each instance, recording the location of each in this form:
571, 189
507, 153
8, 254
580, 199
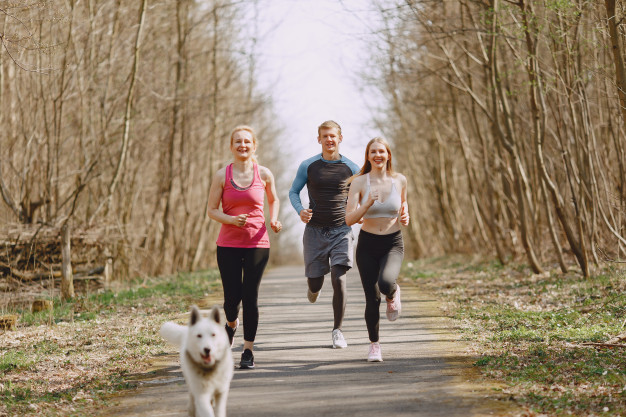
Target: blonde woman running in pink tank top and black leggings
243, 245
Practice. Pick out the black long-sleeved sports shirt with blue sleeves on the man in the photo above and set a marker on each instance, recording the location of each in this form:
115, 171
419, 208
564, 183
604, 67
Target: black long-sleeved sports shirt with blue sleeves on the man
327, 188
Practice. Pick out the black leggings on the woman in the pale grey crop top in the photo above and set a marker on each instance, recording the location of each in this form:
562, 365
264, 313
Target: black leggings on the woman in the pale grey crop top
379, 259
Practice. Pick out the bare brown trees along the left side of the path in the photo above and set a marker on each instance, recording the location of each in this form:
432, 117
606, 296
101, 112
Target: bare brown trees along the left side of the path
115, 115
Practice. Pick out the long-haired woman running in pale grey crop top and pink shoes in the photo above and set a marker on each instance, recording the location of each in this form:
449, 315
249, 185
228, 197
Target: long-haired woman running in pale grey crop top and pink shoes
377, 197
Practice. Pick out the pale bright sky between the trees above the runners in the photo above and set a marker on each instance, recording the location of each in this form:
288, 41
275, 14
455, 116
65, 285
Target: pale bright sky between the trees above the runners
310, 56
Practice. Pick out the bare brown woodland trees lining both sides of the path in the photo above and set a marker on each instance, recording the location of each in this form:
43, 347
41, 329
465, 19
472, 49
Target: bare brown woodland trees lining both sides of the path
508, 117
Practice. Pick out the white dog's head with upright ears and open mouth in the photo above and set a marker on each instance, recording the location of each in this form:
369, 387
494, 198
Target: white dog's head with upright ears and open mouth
207, 340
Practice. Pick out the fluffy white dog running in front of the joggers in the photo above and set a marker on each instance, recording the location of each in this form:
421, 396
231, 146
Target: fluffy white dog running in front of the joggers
205, 359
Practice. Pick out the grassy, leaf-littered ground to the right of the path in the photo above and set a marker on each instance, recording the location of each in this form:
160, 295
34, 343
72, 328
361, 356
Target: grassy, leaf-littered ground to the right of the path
544, 335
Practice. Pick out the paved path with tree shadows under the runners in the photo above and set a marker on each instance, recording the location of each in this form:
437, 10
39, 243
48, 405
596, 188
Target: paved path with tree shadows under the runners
424, 370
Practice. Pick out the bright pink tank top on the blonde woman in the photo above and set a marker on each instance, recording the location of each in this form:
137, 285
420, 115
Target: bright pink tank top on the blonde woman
238, 200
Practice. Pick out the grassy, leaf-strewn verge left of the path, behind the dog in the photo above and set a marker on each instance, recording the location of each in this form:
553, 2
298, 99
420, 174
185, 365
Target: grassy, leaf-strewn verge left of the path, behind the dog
68, 360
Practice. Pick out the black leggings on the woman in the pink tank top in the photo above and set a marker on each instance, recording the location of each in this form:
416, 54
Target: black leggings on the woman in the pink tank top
241, 270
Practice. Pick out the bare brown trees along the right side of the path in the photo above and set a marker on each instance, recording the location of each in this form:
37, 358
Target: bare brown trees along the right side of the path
514, 112
